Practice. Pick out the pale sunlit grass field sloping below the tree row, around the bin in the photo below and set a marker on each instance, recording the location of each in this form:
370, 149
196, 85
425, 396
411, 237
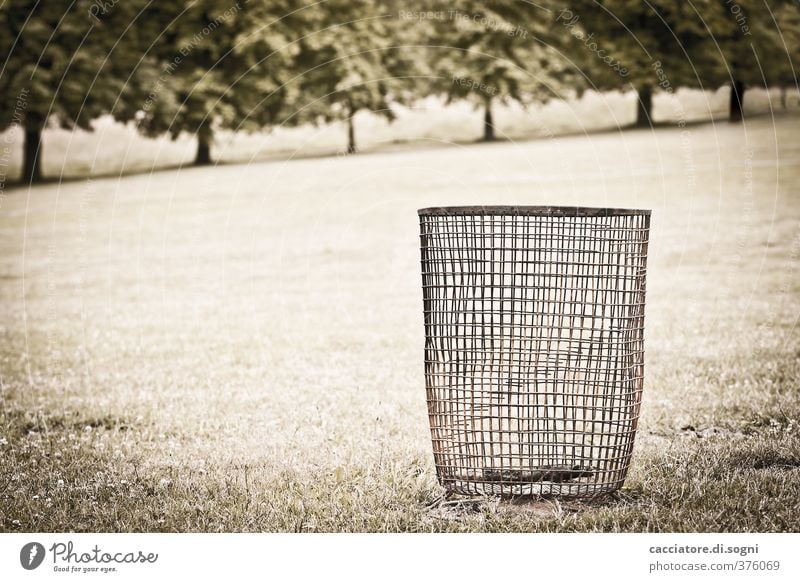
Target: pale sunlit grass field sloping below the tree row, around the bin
240, 348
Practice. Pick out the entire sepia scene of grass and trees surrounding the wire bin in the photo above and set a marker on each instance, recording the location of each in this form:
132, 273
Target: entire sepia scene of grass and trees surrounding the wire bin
210, 303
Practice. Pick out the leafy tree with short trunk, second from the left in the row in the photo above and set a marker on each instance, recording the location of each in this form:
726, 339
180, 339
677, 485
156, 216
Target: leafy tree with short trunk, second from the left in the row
221, 66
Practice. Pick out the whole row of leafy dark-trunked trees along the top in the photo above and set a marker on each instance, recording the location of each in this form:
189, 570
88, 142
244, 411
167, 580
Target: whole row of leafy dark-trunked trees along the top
198, 66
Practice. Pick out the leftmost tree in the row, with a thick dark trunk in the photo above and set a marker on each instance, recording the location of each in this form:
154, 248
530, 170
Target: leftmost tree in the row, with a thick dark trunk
69, 64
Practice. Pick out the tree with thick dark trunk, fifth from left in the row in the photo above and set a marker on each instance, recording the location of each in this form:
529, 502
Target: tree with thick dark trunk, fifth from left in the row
642, 46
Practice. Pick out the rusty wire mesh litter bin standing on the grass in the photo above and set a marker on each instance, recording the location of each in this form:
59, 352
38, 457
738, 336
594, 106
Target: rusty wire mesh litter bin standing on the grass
534, 356
